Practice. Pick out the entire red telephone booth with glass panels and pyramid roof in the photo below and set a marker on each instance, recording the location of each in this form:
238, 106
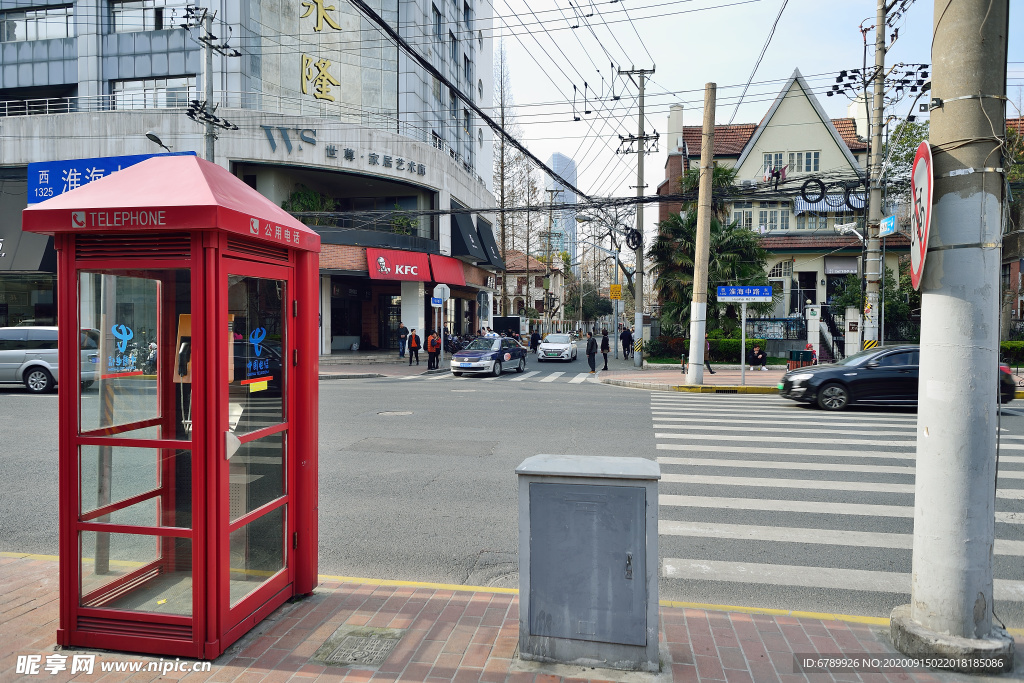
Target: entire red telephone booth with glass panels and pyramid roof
188, 380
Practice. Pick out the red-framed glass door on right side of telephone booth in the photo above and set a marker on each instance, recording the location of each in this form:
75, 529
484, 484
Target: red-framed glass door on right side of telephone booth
257, 475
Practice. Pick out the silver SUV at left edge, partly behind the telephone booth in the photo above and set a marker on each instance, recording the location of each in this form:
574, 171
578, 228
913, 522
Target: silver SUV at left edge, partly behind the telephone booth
29, 356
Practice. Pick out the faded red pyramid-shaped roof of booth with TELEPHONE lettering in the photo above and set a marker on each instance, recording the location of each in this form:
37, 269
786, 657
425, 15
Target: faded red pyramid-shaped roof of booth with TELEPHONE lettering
170, 194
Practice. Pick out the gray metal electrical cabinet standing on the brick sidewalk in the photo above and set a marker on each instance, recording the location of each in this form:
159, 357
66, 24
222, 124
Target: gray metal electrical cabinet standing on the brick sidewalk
588, 562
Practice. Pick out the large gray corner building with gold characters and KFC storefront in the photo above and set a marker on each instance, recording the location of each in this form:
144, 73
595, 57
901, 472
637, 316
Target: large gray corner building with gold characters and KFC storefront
325, 114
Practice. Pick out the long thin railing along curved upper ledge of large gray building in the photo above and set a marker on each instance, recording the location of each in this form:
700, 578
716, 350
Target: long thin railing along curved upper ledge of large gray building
259, 102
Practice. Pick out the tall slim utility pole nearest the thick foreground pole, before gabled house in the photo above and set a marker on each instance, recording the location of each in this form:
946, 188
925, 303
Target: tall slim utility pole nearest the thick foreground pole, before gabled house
873, 272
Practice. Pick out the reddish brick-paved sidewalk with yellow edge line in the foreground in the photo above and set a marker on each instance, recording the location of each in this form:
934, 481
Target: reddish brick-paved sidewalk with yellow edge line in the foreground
452, 634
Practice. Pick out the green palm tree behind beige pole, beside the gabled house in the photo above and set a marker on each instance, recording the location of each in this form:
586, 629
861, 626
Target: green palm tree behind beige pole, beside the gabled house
736, 257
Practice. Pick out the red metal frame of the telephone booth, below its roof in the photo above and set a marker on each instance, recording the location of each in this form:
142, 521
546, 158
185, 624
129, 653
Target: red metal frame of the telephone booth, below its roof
216, 624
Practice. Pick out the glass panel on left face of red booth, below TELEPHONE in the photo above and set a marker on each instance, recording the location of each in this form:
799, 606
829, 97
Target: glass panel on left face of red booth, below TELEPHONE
134, 445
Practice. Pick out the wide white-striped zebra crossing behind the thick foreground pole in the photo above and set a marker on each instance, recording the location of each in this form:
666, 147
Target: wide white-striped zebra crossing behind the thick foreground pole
761, 499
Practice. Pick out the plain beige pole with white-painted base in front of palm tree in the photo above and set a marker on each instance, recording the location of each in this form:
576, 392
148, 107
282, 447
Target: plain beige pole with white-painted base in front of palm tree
699, 309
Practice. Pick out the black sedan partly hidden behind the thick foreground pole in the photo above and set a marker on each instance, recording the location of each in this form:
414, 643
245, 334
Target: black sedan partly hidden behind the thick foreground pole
884, 375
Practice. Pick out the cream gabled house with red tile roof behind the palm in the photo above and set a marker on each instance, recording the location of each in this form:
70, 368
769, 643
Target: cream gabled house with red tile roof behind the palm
812, 250
